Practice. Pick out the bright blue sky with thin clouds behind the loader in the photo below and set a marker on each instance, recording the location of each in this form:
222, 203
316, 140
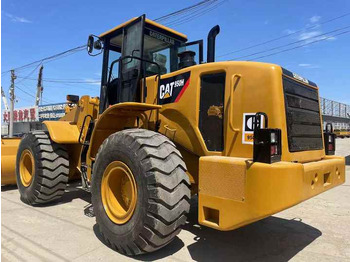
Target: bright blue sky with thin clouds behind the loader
31, 30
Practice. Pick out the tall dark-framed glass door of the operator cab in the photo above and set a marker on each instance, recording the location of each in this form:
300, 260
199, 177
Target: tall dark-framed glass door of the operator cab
131, 69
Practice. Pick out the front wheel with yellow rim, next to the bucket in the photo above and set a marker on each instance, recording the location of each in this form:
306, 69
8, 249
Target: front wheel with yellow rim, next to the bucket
43, 175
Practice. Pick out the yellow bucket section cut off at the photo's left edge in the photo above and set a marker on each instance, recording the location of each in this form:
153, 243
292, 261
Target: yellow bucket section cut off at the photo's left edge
9, 147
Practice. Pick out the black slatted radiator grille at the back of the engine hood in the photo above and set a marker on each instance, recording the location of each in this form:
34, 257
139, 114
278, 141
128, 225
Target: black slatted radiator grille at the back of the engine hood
302, 115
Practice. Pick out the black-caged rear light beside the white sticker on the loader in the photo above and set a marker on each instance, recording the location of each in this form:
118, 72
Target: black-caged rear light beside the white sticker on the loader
267, 141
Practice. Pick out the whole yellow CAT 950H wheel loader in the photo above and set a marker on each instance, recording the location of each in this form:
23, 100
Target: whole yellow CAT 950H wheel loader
246, 137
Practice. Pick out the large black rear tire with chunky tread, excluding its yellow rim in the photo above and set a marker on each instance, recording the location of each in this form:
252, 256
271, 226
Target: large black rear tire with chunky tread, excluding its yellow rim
163, 192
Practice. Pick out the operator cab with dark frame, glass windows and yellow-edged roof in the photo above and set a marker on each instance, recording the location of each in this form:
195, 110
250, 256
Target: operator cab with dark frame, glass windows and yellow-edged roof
137, 49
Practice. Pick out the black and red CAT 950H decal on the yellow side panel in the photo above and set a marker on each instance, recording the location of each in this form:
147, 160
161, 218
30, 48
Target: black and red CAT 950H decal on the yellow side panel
172, 88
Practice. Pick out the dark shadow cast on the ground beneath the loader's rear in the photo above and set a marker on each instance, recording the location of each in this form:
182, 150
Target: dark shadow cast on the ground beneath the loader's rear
271, 239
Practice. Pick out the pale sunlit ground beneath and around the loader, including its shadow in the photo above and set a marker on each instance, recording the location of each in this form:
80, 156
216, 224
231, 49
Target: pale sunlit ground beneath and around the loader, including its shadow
315, 230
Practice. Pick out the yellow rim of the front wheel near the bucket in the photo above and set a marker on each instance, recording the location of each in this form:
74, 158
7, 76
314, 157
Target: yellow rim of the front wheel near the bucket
26, 167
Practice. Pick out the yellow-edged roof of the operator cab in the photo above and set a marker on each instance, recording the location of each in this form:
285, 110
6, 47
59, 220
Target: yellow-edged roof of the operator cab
149, 23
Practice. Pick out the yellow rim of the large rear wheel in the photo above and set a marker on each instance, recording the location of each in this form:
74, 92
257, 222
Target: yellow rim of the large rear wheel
118, 192
